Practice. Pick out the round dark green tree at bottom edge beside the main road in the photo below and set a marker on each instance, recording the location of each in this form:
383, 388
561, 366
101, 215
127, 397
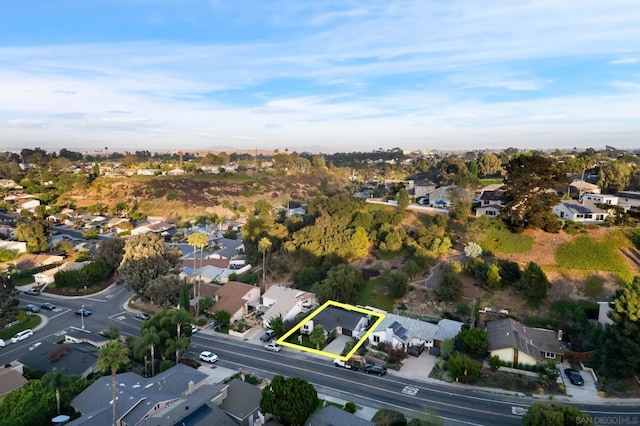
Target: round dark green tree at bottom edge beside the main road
290, 400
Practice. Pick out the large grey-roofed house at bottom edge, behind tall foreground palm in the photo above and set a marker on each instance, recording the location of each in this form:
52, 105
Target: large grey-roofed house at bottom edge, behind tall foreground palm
138, 398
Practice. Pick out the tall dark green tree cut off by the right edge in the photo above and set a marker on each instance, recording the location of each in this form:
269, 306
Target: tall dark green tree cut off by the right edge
621, 340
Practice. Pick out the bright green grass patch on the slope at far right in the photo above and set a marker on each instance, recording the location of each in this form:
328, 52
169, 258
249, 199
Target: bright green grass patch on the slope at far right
585, 253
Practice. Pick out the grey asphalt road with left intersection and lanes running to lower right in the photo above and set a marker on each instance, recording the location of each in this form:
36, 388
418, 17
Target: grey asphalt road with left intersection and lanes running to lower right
455, 406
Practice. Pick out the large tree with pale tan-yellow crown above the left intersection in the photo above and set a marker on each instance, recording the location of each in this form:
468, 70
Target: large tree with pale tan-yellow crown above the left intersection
146, 258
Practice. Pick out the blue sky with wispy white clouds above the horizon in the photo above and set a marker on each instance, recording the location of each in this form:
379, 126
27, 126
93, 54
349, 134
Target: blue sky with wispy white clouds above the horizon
322, 75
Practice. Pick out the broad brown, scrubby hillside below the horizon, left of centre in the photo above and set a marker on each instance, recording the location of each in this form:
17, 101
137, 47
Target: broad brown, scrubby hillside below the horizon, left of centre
189, 196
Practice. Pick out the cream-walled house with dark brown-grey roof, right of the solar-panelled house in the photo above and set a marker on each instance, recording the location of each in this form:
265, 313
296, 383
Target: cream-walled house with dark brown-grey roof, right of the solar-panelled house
513, 342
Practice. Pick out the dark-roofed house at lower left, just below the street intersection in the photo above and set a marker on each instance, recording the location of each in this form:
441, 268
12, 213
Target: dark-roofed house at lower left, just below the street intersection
80, 359
